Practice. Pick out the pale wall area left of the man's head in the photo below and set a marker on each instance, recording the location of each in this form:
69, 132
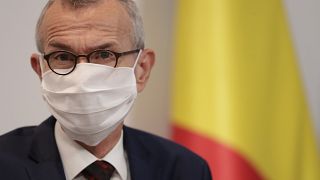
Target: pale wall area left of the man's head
20, 103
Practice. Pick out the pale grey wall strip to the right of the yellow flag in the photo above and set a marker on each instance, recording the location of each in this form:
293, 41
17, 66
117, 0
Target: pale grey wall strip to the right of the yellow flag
304, 18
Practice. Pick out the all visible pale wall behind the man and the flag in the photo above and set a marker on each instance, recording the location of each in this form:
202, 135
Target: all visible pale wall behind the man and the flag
21, 103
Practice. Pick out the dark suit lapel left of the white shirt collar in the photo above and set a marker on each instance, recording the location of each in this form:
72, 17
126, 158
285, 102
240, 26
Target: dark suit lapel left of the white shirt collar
45, 154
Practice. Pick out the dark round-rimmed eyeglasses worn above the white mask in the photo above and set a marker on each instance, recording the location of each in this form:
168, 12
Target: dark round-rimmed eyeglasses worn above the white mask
64, 62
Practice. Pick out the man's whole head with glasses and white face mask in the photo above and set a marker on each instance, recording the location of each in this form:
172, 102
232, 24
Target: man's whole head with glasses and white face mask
91, 100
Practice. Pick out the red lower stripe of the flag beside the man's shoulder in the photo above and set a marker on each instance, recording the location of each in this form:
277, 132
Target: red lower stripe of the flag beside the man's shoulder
225, 163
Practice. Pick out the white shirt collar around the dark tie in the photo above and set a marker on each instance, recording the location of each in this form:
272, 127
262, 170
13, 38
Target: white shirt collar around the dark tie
75, 158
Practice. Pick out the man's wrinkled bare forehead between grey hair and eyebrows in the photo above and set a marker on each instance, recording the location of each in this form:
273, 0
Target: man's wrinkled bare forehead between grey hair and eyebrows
108, 13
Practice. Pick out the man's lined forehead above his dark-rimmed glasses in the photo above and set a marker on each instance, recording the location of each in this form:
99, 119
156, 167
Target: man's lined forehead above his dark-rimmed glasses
107, 18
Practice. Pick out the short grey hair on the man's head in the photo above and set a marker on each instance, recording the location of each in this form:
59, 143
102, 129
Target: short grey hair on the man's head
129, 5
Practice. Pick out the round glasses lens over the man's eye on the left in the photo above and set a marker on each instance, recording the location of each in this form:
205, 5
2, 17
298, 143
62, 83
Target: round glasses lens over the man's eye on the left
62, 62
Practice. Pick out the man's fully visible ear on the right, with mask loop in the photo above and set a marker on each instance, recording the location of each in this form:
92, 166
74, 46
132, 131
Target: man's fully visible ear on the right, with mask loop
143, 68
